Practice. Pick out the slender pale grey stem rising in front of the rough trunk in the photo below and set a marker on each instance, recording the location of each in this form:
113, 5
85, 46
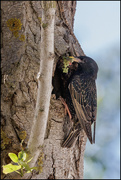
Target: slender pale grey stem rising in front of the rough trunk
44, 80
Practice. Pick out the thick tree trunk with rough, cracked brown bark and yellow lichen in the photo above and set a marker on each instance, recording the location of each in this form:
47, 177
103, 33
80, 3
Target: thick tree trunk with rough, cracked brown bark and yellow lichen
20, 66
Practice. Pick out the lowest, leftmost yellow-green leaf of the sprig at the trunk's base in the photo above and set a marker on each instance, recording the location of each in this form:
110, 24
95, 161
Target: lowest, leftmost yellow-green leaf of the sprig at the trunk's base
10, 168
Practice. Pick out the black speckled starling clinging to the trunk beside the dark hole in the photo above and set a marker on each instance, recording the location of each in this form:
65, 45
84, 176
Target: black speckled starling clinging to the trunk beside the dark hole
78, 88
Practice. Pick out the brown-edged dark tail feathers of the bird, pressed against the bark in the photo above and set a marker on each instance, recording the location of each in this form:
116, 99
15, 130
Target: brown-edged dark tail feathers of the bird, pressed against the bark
68, 142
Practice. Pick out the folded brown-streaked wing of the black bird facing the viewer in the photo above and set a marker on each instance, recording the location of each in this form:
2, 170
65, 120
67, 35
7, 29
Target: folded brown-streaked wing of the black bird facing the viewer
83, 94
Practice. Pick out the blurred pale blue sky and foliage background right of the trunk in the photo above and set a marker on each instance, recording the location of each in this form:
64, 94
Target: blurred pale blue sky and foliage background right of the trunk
102, 160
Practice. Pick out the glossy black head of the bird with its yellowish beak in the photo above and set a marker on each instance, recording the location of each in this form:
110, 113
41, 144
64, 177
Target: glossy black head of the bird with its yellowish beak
85, 65
